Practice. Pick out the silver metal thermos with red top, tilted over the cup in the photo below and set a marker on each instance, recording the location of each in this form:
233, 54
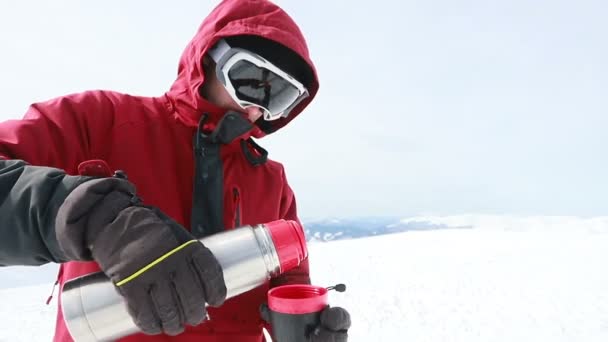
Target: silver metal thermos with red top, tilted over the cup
250, 255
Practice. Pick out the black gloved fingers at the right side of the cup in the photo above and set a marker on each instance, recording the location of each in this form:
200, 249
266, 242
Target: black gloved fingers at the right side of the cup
334, 325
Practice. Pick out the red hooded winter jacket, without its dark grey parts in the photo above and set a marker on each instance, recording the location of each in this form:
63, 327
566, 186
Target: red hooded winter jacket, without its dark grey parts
151, 139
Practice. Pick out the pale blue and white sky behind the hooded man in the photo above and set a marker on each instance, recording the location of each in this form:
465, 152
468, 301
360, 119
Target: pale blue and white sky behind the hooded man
426, 107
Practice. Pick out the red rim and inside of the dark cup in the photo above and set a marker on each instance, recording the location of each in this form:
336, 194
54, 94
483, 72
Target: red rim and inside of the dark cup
297, 299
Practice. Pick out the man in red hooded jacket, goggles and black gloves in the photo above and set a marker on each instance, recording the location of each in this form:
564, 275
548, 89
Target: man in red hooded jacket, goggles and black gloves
187, 159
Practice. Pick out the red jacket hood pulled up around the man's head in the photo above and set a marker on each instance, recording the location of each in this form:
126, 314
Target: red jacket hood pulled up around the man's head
232, 18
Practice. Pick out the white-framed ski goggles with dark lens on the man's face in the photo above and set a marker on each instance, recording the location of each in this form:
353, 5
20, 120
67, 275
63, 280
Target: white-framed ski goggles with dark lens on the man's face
251, 80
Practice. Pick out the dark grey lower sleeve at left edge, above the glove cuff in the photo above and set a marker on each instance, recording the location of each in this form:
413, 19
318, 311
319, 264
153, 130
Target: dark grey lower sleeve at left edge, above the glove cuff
30, 197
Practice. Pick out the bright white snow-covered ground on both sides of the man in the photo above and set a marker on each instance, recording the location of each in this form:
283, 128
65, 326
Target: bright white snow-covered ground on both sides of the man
501, 280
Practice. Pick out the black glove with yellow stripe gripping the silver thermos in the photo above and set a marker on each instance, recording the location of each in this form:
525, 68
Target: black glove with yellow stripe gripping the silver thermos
164, 274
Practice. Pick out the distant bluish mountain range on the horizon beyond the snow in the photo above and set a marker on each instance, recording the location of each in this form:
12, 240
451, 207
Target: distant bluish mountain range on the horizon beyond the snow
339, 229
